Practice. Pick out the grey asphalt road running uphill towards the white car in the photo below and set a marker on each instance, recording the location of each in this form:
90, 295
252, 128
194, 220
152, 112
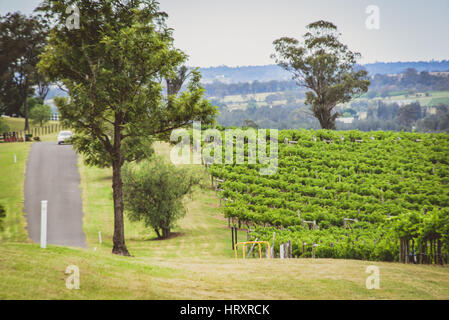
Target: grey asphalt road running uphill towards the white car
52, 175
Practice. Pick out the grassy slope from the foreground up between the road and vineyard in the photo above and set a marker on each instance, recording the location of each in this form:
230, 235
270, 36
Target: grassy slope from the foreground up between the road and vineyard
196, 264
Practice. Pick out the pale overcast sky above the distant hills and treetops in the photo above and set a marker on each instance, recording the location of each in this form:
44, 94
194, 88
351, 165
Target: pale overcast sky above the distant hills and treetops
241, 32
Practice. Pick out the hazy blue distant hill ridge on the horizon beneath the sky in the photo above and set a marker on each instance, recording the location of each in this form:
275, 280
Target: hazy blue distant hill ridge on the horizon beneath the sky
273, 72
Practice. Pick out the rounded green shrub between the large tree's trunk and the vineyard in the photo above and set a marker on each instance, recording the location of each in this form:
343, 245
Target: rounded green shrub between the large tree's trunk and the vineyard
154, 190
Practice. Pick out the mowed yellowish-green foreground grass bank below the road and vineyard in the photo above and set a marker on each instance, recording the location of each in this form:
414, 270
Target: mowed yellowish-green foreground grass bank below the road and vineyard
28, 272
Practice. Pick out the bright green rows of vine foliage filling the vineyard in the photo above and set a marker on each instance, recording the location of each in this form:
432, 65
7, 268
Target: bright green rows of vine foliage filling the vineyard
393, 185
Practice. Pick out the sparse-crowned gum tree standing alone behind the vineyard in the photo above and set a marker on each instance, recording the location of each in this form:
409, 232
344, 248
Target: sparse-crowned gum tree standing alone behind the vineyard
325, 66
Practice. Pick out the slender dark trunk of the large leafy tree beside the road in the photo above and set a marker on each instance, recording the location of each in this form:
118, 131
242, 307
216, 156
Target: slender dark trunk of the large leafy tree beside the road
117, 186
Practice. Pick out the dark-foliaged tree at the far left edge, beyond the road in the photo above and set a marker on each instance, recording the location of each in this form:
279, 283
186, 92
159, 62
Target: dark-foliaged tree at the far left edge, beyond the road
22, 39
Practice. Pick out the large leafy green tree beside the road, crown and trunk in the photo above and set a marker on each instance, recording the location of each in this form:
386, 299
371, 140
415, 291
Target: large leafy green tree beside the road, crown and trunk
113, 66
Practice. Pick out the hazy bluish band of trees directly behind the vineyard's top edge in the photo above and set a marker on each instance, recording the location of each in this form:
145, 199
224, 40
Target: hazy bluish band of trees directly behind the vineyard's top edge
382, 116
